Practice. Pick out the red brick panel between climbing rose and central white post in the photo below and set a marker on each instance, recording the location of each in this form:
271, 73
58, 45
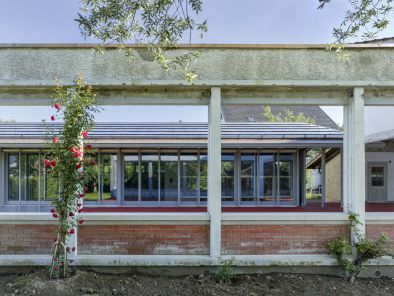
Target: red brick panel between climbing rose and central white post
143, 239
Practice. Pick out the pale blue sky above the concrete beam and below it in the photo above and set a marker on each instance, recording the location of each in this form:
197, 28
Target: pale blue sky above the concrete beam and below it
229, 21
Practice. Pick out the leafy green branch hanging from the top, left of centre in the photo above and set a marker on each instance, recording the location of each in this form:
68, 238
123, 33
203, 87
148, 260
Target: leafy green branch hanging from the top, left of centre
161, 24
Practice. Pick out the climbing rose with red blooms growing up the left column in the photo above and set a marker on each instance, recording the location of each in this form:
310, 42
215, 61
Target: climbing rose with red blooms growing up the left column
71, 164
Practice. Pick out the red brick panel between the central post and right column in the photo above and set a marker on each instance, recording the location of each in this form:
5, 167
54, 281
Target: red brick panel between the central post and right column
278, 239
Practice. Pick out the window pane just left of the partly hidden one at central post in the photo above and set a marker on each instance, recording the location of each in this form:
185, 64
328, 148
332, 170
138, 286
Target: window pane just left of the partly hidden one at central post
189, 177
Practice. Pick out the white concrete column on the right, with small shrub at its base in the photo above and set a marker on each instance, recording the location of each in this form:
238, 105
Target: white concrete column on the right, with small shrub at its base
354, 160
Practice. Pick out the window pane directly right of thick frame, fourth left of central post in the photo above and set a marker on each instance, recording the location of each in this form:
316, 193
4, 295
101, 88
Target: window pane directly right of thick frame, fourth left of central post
131, 177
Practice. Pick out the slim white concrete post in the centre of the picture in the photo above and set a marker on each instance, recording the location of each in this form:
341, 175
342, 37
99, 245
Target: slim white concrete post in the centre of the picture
214, 172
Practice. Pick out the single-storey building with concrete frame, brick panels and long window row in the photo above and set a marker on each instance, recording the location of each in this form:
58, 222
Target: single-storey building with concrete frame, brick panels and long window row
265, 234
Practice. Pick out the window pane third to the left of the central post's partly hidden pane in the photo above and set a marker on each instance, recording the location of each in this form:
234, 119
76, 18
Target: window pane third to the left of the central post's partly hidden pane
149, 177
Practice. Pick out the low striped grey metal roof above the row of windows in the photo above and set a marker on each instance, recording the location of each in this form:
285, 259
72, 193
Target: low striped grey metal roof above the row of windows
178, 131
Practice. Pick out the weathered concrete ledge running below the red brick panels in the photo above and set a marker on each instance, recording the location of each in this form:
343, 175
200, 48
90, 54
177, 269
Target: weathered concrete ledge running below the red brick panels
186, 260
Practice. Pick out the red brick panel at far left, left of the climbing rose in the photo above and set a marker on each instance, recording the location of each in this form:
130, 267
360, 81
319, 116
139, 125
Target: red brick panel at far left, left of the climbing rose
26, 239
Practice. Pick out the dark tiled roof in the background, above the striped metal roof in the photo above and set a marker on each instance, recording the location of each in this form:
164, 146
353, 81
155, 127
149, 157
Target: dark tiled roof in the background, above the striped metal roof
254, 113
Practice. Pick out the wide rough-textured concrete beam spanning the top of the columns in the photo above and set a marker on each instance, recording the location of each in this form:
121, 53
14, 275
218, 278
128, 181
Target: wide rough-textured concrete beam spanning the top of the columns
38, 66
